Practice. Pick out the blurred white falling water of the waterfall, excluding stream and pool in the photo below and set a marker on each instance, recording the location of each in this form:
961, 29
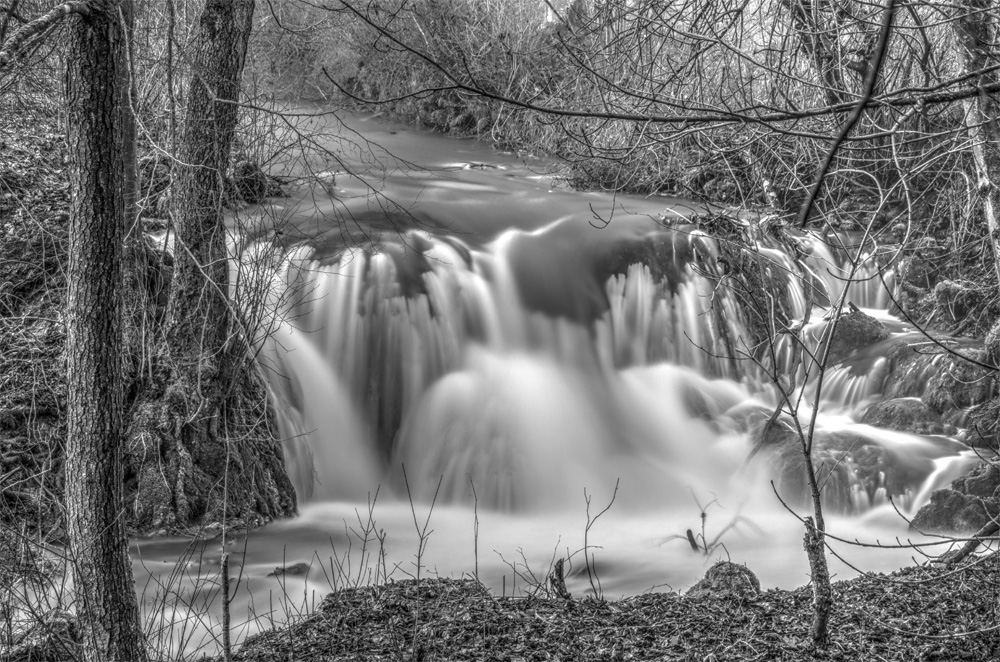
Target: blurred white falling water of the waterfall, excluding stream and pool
434, 365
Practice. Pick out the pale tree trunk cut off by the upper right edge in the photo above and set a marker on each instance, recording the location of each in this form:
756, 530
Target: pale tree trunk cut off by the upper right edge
976, 28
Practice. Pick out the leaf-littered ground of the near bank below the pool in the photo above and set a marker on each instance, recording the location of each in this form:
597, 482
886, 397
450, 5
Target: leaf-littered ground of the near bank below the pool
916, 614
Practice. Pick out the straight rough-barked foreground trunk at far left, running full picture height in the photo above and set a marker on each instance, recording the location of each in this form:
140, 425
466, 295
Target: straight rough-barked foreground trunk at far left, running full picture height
102, 571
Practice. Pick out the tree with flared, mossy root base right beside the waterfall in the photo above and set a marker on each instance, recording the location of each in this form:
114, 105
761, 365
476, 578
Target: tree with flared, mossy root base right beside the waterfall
201, 440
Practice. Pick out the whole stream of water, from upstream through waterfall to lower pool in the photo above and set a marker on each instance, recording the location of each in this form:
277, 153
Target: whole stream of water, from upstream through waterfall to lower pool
472, 362
